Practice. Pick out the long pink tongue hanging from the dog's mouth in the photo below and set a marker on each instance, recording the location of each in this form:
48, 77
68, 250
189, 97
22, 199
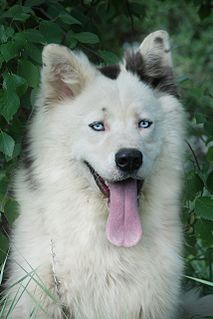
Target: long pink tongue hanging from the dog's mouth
123, 225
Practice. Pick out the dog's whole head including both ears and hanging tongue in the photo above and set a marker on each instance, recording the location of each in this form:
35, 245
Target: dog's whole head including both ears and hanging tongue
112, 121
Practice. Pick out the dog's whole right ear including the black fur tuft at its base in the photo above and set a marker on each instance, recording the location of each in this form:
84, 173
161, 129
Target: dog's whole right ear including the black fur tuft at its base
153, 62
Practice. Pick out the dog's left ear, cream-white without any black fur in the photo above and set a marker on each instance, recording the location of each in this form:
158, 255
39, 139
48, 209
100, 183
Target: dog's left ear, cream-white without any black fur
64, 73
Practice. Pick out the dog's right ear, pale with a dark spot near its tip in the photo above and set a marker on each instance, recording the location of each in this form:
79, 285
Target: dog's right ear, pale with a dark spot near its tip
156, 54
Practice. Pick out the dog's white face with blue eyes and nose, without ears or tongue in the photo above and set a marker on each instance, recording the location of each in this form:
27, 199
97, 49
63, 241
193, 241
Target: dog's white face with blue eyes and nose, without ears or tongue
117, 127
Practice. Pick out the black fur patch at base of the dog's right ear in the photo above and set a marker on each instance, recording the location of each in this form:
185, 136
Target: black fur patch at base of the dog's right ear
152, 73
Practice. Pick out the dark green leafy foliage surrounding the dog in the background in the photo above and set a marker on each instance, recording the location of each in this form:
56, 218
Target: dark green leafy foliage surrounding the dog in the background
101, 29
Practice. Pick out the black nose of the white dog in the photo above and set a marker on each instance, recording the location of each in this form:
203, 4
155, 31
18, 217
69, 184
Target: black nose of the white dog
128, 159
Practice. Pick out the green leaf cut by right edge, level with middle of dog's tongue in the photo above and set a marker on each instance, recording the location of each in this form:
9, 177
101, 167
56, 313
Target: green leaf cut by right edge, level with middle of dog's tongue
204, 207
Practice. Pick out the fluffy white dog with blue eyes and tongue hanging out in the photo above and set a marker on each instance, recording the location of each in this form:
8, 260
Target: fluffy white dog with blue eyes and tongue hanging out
99, 233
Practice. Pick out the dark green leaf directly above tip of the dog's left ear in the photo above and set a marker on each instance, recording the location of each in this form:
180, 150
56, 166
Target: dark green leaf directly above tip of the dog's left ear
51, 31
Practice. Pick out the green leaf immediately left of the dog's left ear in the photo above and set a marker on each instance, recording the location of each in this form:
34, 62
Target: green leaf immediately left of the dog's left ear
29, 72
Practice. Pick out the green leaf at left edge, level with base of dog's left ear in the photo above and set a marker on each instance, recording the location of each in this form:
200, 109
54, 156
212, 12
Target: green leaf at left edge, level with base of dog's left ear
9, 104
